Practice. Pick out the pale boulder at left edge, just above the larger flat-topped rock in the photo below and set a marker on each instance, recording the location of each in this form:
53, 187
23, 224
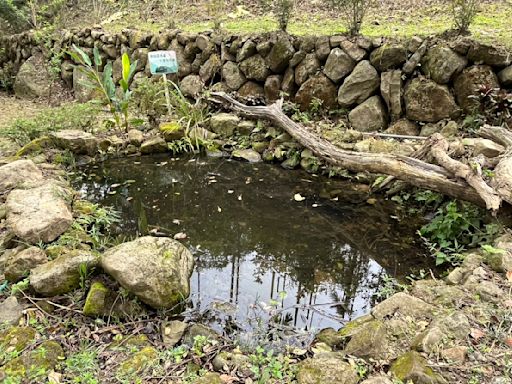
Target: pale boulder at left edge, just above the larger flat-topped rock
19, 174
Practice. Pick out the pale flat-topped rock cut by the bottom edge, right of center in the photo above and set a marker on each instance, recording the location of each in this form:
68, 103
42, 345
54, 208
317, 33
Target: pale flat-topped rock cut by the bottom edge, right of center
326, 370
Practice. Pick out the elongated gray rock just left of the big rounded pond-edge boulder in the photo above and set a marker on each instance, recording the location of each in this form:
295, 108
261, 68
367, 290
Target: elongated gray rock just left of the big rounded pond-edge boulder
61, 275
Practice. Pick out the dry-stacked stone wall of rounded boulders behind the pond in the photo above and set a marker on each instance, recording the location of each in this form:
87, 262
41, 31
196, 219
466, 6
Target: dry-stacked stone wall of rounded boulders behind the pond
379, 82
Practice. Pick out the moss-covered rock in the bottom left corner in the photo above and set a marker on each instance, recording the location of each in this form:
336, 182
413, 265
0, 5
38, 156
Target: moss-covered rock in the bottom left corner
35, 364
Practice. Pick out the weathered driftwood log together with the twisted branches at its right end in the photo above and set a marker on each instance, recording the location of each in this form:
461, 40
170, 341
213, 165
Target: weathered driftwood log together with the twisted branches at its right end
449, 177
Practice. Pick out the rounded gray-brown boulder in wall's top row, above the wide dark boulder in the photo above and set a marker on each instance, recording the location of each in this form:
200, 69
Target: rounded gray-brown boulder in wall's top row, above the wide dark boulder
441, 64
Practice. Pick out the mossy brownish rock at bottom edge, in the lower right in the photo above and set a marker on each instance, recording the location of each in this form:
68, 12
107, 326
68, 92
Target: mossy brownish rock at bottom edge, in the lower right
412, 366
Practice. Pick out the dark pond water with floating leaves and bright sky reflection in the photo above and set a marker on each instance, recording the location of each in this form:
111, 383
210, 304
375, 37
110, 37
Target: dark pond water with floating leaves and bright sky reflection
259, 252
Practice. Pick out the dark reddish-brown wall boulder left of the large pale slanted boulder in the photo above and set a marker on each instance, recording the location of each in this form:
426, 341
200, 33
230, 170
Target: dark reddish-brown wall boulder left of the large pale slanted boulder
319, 87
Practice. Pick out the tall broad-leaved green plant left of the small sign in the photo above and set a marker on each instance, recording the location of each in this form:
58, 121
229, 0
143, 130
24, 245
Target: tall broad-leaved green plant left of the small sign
117, 99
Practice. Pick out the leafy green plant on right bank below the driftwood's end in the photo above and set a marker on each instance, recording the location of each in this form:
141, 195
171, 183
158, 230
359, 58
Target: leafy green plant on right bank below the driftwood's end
456, 226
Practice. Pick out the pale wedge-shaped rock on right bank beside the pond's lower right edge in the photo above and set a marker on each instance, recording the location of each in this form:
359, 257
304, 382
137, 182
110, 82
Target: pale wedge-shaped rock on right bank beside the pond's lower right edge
404, 304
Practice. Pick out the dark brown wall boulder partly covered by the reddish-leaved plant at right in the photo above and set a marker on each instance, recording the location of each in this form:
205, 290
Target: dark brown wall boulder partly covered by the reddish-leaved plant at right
469, 83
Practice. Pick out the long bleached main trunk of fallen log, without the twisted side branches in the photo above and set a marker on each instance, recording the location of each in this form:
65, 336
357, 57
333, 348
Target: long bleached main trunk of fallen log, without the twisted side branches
413, 171
